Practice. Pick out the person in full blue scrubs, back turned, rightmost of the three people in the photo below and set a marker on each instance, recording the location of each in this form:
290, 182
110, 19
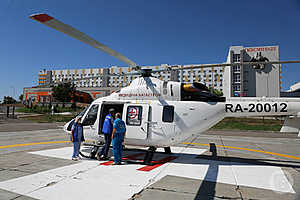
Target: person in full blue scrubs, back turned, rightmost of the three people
118, 134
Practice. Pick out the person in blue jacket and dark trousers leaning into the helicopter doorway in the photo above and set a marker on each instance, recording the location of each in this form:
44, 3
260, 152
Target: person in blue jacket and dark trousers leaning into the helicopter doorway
107, 131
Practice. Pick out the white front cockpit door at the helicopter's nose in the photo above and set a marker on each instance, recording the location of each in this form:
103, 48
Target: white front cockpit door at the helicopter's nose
90, 122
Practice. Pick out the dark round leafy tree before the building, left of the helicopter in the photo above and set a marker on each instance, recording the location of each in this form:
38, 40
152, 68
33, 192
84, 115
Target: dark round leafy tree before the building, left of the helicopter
63, 92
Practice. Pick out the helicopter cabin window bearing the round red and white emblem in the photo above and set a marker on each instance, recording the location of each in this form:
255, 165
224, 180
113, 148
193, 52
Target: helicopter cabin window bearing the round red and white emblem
134, 115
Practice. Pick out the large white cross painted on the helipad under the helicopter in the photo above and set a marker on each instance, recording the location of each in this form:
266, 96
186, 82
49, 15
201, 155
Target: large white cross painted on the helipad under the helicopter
89, 180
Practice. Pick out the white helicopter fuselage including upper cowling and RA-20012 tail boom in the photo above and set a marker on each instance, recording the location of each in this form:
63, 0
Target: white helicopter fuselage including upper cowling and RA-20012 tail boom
155, 115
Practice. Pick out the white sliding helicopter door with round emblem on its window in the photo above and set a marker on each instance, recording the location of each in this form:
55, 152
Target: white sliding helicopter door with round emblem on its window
136, 117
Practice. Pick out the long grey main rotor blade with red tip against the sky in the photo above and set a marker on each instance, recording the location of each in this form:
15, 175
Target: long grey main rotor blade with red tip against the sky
69, 30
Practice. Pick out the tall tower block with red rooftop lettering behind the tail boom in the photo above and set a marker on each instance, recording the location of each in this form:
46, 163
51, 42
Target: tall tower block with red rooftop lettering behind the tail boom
252, 81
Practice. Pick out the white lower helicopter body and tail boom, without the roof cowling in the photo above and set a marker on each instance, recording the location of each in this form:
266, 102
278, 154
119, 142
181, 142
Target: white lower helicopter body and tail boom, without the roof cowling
189, 118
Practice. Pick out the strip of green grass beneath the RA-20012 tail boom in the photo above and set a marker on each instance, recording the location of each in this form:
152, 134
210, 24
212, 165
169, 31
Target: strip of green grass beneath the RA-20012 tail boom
249, 124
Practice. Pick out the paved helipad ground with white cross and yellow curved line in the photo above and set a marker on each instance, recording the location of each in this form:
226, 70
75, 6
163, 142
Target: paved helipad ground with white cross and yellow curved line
37, 165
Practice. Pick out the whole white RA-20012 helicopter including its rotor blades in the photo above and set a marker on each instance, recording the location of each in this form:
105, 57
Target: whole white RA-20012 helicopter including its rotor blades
161, 114
